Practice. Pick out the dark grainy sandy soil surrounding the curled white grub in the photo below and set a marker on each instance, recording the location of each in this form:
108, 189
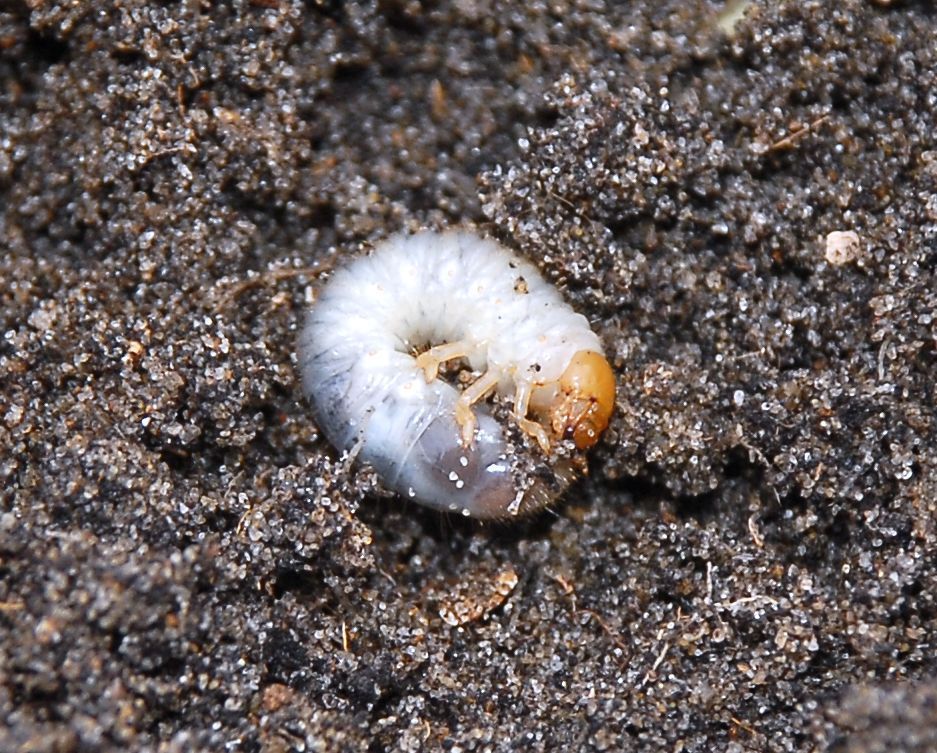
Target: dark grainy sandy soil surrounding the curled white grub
743, 207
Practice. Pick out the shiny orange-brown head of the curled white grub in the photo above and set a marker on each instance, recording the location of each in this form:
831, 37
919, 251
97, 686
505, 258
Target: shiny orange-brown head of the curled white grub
585, 399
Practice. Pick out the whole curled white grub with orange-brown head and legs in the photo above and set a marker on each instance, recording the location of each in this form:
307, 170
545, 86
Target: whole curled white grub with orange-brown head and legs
371, 350
